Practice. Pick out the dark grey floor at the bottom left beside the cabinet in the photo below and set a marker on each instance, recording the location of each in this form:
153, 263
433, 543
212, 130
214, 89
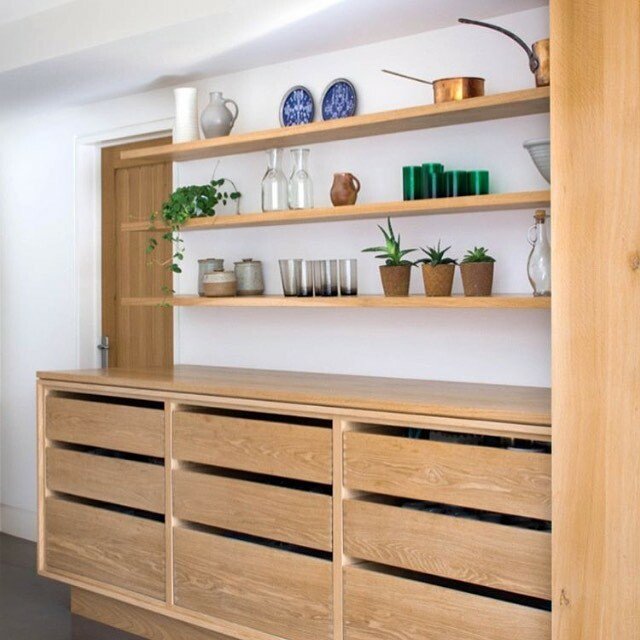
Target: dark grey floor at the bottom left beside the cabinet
34, 608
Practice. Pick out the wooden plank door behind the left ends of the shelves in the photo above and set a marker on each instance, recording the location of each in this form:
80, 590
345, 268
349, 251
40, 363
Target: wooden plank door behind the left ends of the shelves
138, 336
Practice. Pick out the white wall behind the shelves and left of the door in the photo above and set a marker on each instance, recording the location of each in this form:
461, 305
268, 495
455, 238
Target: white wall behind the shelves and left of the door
39, 310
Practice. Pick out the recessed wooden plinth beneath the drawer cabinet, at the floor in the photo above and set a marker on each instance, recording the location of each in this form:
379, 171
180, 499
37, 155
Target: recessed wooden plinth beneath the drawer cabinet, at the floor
135, 620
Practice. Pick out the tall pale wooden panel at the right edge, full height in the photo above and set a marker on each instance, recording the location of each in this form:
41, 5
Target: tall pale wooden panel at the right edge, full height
595, 132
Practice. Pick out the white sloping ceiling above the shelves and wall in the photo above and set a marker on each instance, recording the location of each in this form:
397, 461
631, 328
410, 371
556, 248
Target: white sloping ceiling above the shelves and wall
57, 53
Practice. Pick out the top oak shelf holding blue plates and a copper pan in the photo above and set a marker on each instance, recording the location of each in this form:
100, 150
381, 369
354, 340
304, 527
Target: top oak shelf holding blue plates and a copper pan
503, 105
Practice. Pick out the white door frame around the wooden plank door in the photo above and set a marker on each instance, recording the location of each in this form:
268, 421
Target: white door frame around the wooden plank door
87, 215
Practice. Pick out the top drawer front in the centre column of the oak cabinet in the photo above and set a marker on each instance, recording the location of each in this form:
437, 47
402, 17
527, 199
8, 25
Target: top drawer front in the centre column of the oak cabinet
274, 448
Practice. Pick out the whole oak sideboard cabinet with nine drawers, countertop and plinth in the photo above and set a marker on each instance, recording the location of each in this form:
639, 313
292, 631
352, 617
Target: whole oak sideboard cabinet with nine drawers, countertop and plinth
201, 502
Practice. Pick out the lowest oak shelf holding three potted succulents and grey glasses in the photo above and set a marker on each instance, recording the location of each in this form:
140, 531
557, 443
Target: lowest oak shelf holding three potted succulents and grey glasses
369, 301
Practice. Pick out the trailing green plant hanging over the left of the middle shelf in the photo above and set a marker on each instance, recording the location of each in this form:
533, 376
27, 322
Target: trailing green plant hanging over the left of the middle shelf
194, 201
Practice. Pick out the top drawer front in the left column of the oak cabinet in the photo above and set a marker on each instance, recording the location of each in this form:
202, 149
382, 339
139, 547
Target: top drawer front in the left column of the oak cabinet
111, 426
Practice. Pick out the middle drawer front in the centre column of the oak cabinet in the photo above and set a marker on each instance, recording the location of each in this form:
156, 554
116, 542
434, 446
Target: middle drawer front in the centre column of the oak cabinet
287, 515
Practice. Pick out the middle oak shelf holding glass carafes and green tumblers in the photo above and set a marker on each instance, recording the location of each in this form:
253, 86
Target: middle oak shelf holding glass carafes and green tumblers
464, 204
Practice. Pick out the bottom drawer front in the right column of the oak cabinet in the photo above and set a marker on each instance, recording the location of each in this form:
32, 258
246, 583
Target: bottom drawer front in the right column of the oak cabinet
380, 607
